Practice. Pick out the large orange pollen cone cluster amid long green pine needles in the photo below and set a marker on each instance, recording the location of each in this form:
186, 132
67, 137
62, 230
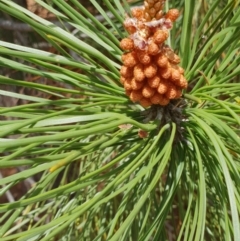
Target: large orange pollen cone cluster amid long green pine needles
150, 73
